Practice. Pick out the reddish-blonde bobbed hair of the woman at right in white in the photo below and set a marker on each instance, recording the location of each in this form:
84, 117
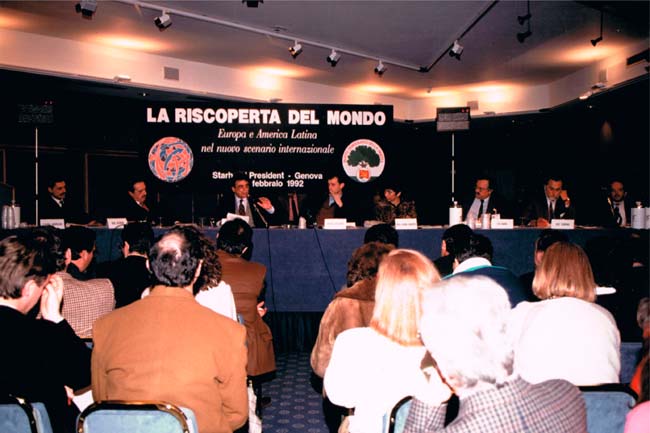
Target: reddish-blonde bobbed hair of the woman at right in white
565, 271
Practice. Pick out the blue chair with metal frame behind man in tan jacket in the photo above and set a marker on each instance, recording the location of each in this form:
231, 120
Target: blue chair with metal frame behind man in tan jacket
117, 416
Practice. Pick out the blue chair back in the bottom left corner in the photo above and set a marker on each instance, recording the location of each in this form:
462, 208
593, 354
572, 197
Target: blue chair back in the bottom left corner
19, 416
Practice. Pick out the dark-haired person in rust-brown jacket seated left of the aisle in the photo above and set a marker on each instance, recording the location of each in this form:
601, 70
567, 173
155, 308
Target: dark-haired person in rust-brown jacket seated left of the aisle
247, 282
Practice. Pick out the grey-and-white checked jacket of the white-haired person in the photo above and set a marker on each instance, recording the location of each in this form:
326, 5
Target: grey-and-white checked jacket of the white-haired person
517, 406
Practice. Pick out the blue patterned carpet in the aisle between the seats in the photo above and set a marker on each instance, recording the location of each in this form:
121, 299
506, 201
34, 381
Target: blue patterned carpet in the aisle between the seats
295, 404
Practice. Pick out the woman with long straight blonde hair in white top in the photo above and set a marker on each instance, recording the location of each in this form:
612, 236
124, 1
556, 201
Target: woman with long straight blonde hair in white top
372, 368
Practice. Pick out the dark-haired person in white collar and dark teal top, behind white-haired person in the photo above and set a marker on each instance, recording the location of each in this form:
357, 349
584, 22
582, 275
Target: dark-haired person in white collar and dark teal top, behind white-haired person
475, 258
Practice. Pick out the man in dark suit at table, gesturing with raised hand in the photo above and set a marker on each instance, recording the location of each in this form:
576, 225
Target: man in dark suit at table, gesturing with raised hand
260, 210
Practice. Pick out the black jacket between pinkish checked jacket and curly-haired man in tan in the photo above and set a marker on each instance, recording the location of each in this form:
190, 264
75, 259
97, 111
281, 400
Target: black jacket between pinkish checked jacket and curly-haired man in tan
129, 277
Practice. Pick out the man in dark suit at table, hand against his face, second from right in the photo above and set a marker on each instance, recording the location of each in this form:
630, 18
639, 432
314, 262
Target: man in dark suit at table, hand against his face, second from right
555, 203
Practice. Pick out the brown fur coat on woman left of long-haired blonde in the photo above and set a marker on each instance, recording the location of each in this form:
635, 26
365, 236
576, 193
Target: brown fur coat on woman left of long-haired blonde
351, 308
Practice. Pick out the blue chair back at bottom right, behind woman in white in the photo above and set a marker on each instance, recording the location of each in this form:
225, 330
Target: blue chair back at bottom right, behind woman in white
607, 406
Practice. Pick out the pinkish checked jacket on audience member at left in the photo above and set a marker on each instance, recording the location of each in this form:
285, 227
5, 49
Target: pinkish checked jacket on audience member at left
85, 301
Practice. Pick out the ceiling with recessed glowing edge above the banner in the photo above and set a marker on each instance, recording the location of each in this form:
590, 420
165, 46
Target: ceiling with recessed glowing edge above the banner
411, 33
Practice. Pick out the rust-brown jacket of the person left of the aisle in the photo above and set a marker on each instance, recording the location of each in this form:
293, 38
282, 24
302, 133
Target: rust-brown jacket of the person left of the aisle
246, 280
